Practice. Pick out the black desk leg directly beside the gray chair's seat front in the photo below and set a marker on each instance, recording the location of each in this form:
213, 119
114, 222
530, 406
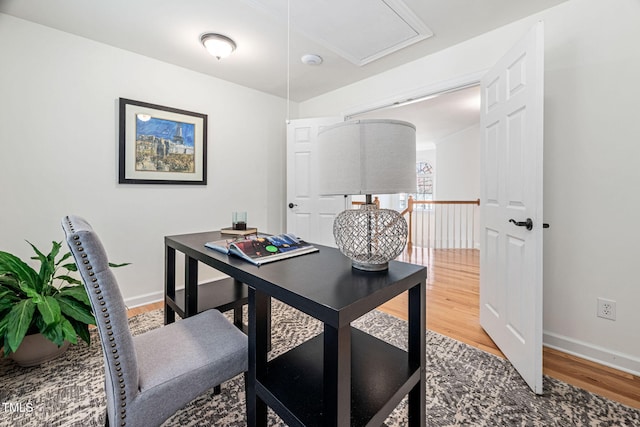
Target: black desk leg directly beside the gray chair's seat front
259, 311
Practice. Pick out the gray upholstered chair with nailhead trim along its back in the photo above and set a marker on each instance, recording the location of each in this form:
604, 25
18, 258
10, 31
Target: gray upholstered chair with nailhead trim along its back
149, 377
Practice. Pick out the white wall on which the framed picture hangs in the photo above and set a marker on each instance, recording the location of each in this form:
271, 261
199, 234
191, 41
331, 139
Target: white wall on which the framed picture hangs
58, 151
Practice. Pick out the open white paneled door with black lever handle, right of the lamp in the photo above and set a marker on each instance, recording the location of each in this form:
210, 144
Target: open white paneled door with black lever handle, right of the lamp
511, 189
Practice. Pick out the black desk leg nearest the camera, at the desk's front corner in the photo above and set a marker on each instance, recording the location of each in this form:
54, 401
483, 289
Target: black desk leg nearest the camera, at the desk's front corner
337, 376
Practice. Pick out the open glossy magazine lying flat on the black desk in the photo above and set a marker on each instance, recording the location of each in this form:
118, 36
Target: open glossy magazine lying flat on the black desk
261, 249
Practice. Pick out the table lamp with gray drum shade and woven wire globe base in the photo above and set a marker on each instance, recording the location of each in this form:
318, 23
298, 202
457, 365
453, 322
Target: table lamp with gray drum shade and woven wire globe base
368, 157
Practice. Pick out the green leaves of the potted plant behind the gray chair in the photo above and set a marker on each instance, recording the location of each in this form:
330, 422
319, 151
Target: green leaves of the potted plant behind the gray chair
48, 301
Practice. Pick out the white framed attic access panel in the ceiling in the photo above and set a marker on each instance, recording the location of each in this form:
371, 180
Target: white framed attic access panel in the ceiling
360, 31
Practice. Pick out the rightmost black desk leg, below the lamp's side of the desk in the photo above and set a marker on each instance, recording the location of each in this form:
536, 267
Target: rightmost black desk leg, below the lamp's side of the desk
417, 349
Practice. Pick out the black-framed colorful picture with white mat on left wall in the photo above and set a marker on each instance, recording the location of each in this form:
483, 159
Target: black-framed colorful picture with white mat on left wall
161, 145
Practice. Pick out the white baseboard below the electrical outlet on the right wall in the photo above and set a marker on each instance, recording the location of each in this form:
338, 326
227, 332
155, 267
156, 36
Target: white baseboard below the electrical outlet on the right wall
593, 353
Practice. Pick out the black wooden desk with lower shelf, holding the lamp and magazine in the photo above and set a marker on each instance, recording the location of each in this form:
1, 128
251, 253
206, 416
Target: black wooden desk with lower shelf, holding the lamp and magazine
343, 377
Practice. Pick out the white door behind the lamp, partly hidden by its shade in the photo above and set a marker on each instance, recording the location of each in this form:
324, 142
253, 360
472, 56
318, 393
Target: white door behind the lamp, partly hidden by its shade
309, 215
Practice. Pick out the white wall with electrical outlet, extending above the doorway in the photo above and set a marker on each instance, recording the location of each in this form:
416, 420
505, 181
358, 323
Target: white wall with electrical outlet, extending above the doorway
592, 135
